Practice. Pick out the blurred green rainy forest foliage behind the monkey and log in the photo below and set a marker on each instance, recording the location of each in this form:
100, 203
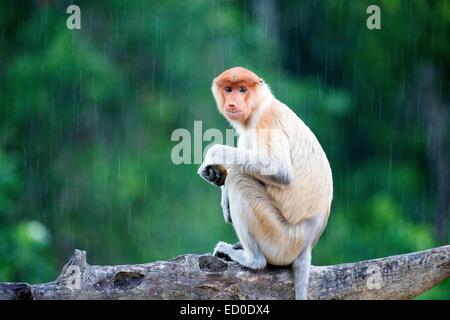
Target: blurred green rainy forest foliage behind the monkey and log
86, 118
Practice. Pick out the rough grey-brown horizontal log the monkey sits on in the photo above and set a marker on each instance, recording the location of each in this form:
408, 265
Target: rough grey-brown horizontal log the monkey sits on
206, 277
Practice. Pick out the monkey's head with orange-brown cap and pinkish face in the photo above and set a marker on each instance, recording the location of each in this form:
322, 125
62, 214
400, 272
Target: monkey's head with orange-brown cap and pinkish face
237, 92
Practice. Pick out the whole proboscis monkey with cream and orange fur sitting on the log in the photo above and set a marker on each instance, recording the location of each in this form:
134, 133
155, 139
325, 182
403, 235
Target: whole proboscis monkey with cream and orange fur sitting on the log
276, 185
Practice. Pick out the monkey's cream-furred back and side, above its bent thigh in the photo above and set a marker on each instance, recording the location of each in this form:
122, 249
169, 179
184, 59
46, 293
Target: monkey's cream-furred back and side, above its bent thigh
311, 191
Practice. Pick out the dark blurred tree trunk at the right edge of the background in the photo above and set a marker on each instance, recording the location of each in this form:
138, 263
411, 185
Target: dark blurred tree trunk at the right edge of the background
437, 124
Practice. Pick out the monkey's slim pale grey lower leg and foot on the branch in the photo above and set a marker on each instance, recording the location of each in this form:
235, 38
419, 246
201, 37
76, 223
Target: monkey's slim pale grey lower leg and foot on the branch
250, 255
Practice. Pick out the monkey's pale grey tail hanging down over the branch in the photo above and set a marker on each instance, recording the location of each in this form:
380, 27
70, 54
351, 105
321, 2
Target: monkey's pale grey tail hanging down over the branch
300, 269
